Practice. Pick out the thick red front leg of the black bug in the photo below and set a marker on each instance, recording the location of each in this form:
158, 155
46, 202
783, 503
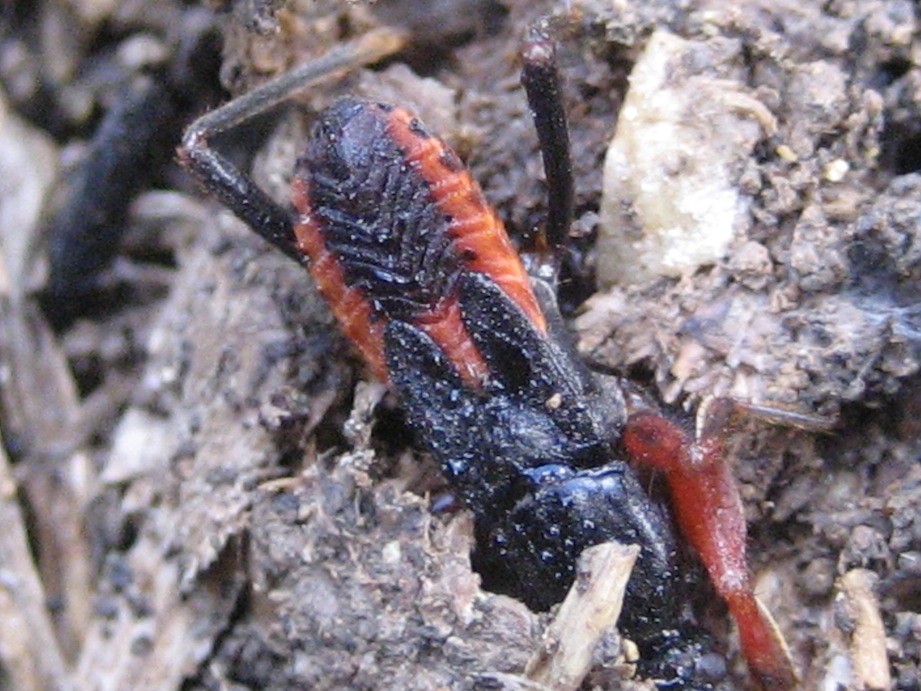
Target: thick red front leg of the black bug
708, 508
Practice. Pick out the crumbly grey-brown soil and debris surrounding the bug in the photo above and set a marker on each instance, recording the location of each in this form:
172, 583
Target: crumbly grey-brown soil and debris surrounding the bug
200, 485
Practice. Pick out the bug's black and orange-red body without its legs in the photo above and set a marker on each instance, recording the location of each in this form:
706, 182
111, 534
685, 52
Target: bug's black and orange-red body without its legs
421, 275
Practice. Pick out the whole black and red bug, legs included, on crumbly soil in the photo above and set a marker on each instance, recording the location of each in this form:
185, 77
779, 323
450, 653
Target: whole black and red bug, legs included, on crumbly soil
422, 277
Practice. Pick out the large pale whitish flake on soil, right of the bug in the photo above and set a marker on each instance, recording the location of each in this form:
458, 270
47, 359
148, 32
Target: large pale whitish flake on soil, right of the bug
671, 200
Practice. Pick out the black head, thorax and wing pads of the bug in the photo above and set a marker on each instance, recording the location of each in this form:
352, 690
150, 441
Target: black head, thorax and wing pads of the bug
532, 456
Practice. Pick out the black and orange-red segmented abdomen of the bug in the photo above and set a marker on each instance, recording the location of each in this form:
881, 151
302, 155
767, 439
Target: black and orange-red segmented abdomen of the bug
390, 217
